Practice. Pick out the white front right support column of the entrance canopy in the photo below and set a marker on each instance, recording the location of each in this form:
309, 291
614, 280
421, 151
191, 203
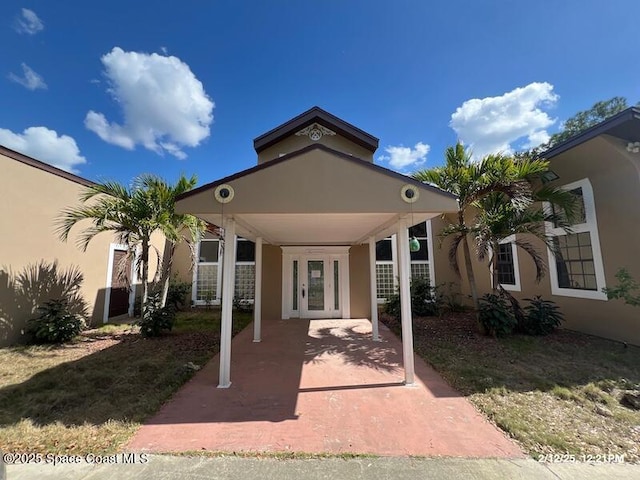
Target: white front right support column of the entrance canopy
404, 272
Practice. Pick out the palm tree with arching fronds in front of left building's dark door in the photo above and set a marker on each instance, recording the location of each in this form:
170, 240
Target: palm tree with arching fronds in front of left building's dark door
132, 214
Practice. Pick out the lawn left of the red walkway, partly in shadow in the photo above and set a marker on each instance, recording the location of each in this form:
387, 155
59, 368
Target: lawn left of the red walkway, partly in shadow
91, 396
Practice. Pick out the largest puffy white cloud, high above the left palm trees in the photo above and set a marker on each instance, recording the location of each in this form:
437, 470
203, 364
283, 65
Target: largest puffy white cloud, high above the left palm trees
165, 107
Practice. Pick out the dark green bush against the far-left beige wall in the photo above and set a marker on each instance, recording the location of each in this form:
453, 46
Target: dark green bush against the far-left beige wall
55, 323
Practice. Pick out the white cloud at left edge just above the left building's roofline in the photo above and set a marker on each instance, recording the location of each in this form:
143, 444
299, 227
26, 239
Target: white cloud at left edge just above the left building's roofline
45, 145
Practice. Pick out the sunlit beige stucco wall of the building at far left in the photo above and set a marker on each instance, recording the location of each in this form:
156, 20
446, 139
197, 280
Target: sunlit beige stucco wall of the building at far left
33, 199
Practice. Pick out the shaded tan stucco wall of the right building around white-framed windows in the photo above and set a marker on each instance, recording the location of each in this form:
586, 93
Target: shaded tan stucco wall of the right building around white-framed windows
615, 177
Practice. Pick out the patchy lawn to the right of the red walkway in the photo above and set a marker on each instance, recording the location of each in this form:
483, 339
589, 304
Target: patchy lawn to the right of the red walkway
557, 394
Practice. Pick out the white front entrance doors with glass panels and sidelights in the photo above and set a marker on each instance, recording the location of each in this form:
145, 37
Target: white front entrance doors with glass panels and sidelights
315, 285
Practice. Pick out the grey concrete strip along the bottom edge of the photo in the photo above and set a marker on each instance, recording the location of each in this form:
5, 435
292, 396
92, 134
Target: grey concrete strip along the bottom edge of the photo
231, 468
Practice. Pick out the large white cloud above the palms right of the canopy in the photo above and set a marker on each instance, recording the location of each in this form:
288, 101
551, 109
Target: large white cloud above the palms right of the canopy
493, 124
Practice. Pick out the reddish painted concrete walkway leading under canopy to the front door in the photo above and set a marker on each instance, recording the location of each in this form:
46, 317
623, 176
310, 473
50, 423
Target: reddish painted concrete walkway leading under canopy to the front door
321, 386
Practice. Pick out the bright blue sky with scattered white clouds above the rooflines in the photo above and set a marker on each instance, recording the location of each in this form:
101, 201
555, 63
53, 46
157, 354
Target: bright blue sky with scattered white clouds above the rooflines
110, 90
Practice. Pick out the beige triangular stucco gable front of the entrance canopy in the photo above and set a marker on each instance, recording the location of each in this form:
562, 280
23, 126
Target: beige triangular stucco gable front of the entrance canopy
317, 181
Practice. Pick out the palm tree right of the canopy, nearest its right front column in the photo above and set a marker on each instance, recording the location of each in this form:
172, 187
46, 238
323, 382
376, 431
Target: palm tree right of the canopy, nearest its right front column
472, 182
